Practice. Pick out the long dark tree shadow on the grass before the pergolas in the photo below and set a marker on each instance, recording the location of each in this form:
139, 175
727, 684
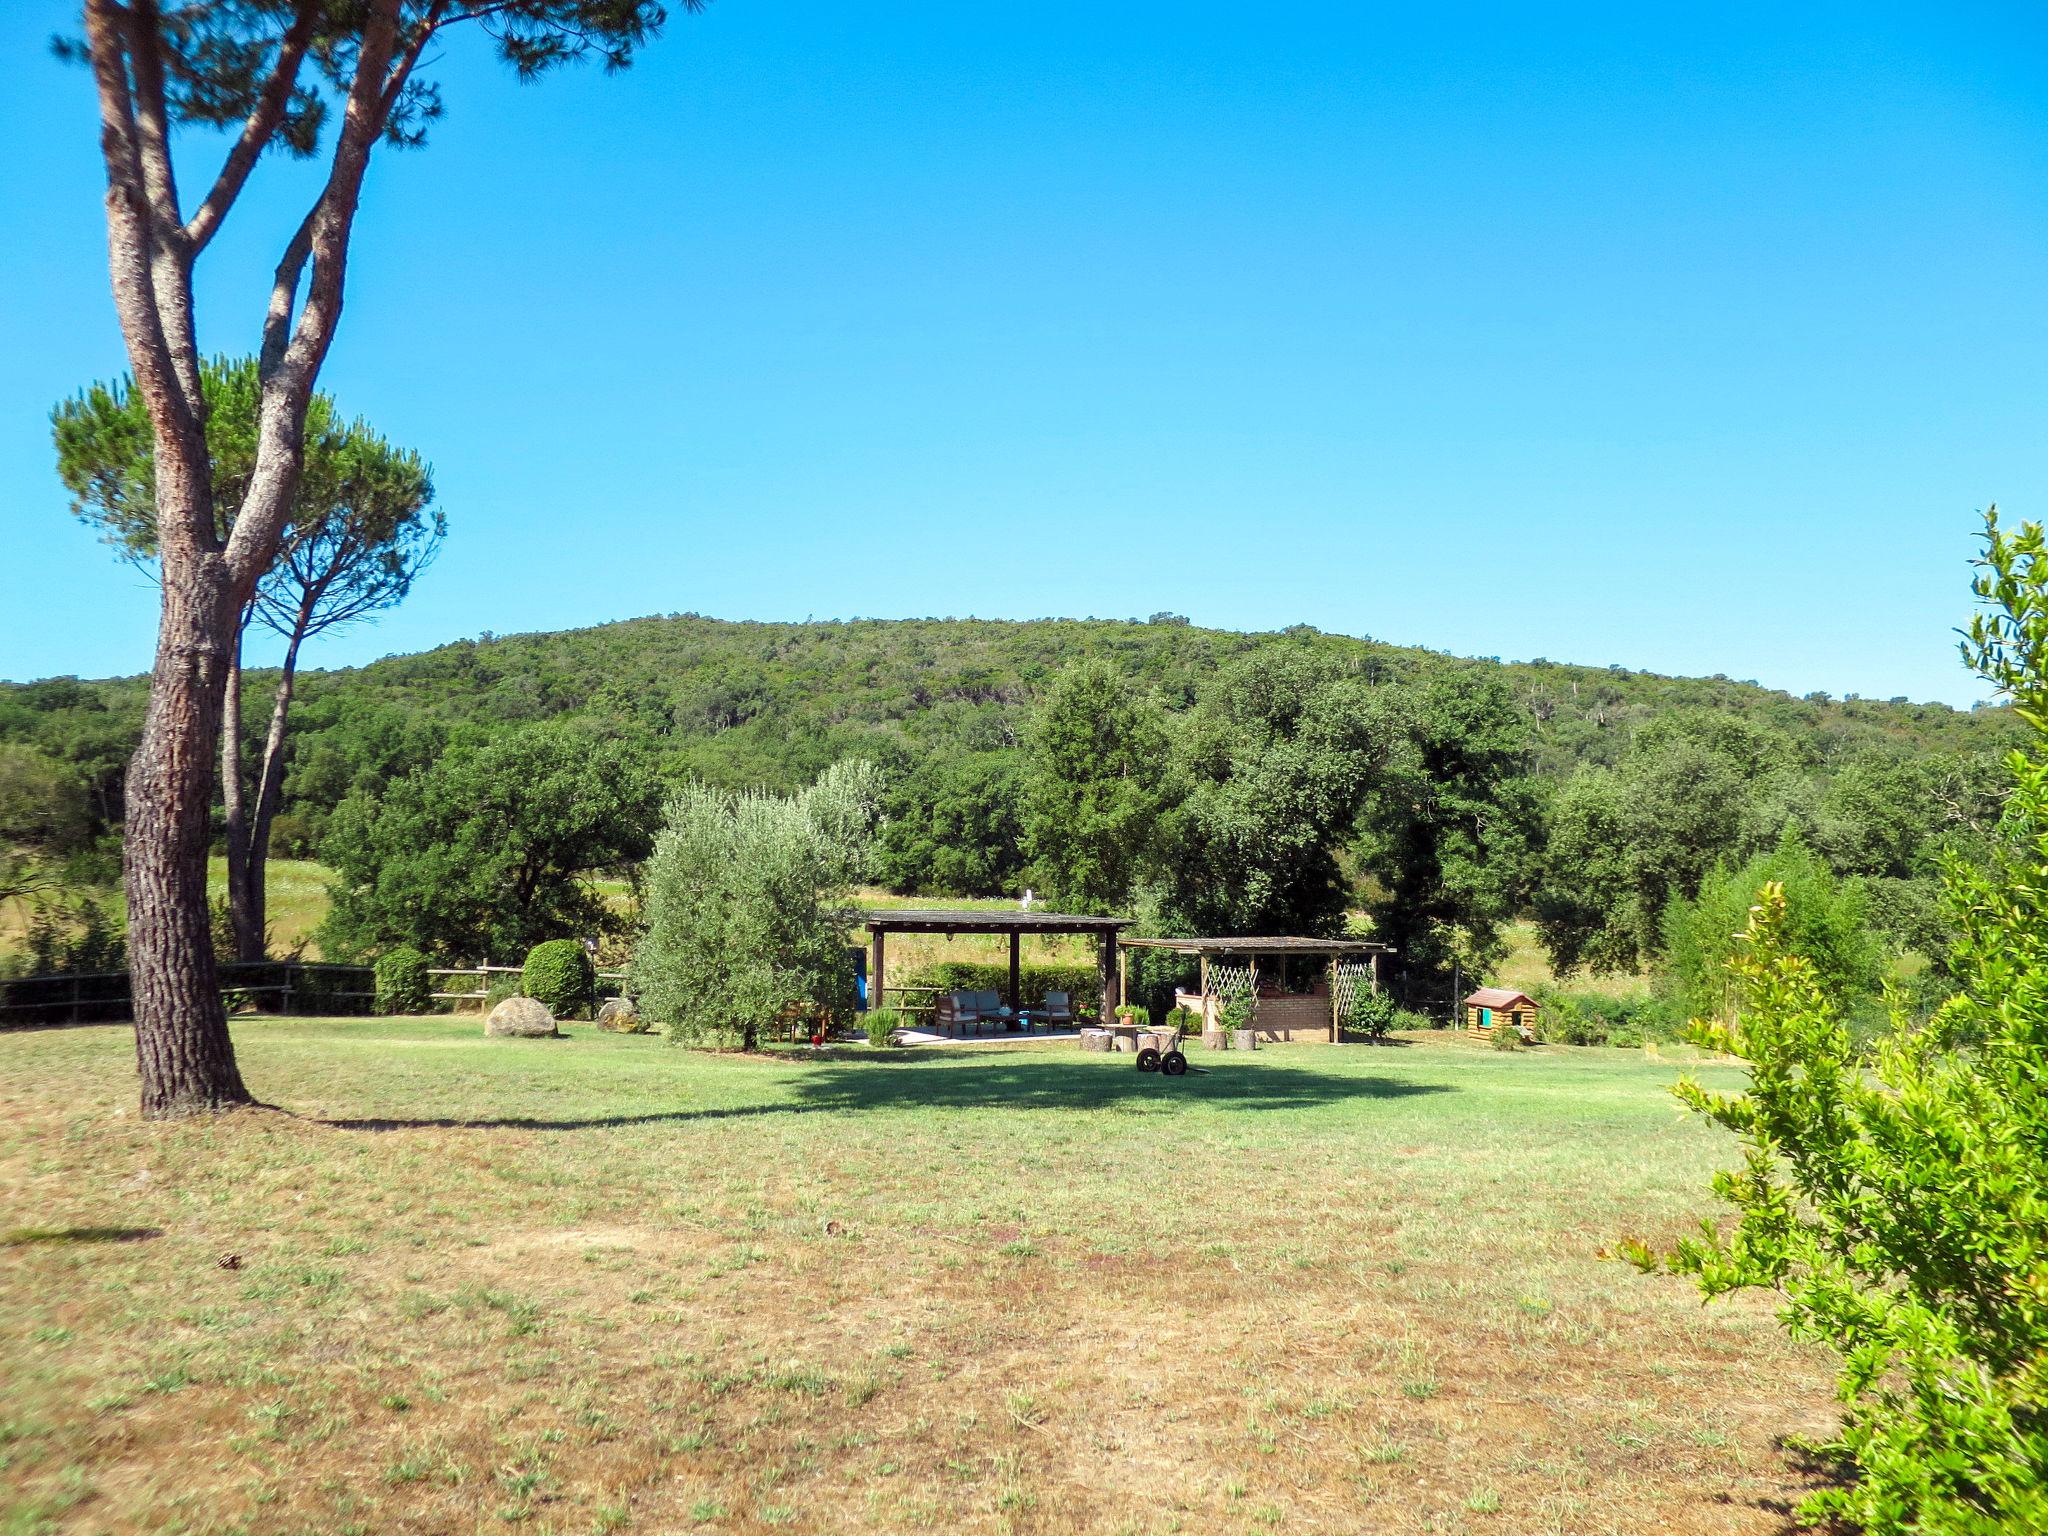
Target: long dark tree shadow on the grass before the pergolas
914, 1082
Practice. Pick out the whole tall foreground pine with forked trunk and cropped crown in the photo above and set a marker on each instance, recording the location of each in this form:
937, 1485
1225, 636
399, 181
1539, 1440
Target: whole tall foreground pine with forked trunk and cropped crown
271, 75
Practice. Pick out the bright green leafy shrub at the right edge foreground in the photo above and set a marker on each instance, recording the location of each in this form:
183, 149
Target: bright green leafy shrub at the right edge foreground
1900, 1203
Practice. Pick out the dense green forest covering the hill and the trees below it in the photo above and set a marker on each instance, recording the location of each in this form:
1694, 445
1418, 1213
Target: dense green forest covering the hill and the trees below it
1265, 779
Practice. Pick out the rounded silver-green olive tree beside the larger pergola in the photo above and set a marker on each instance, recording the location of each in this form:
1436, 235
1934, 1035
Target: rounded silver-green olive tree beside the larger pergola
749, 906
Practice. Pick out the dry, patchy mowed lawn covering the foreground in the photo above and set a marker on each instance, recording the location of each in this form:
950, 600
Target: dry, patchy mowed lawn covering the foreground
607, 1285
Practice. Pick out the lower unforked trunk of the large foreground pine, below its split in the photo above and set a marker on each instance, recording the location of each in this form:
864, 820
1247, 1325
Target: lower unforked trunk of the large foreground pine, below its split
181, 1029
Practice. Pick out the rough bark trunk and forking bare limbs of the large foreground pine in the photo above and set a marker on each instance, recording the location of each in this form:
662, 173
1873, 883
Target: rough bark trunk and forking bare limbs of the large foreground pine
183, 1050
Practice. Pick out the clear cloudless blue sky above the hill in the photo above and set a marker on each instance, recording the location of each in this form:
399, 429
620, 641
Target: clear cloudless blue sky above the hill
1687, 339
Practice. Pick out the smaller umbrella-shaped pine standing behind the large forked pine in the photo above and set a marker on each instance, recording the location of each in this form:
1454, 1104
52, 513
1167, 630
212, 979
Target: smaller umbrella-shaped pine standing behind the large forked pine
361, 527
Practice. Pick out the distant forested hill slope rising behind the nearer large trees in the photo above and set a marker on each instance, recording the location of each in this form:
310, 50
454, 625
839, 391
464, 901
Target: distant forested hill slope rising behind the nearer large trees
755, 703
